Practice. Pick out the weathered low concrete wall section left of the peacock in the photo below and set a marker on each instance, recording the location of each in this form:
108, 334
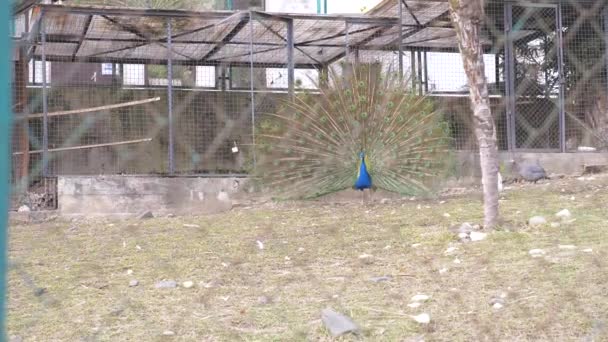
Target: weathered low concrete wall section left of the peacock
131, 195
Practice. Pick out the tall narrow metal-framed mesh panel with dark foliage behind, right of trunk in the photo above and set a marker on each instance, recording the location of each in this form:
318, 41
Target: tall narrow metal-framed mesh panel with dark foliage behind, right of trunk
536, 76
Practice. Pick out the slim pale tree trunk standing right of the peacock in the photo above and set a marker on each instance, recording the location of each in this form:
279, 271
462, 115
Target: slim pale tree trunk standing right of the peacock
467, 17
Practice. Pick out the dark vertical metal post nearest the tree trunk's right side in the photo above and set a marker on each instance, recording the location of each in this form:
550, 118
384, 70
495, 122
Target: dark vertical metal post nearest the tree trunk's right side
509, 76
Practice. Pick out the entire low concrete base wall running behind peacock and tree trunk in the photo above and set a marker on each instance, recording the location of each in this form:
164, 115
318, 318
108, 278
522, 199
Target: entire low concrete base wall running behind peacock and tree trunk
131, 195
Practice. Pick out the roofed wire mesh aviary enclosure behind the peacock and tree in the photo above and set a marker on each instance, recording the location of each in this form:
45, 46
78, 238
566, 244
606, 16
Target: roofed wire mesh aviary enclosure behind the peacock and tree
103, 90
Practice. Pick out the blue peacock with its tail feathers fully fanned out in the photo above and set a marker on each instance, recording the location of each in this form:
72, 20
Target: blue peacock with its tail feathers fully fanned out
363, 129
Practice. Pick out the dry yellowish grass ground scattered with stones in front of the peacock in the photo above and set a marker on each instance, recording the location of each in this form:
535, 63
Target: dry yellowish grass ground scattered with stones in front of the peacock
311, 260
